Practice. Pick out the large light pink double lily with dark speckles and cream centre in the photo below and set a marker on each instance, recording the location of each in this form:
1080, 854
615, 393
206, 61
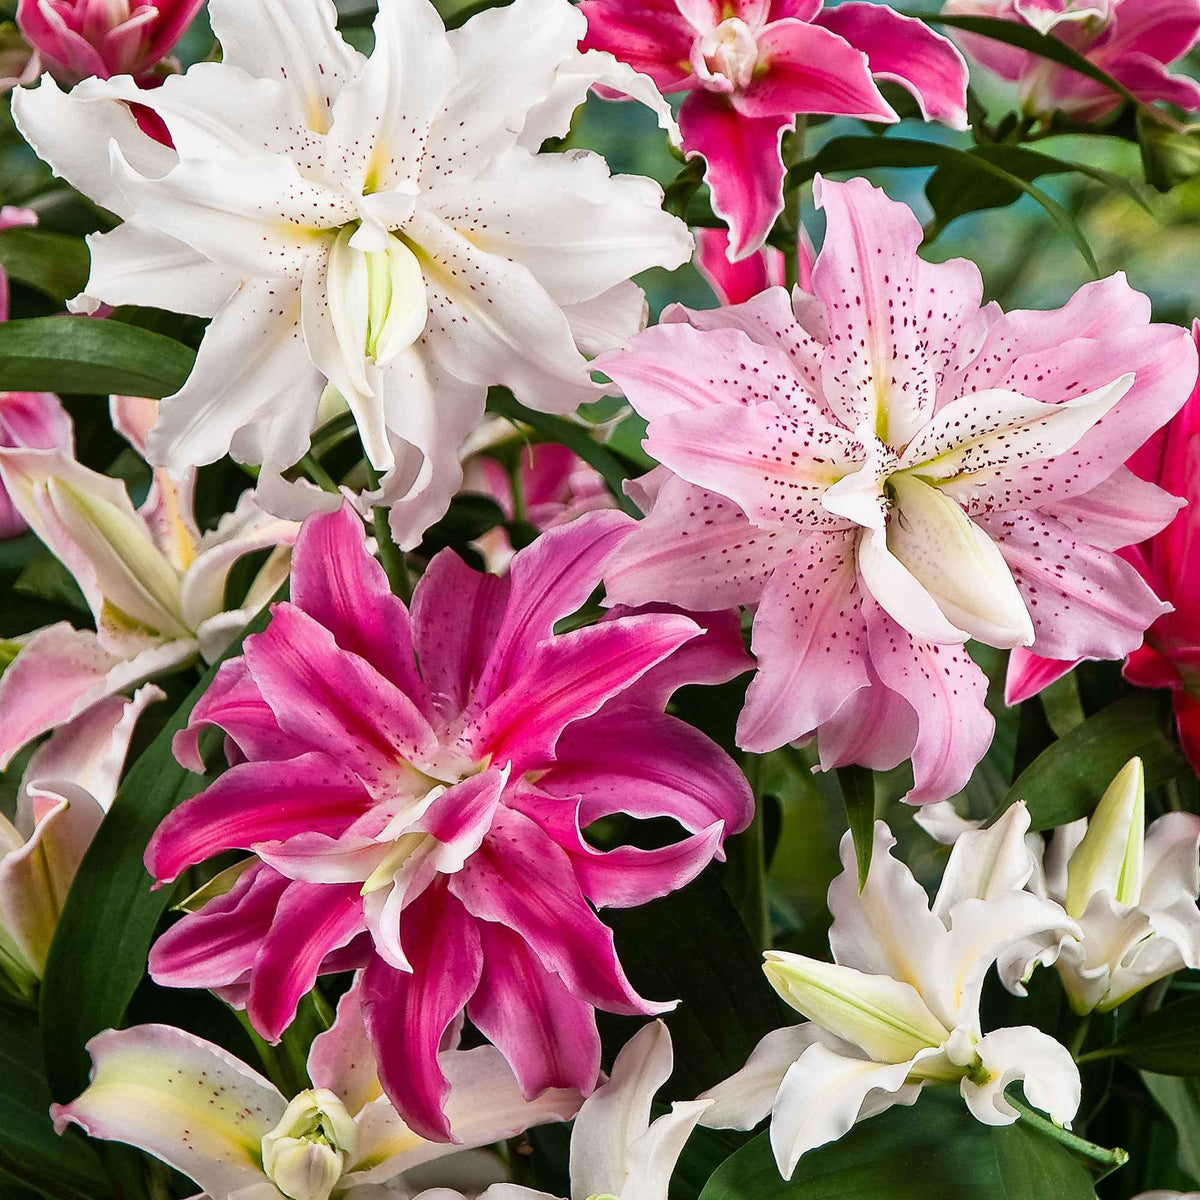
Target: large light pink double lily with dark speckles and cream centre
886, 470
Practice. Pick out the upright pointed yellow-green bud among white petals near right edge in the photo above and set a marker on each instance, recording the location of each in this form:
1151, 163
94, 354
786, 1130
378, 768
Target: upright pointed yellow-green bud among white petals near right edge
1111, 856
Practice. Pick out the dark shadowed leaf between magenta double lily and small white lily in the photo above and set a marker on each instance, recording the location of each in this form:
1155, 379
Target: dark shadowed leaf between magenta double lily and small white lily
693, 946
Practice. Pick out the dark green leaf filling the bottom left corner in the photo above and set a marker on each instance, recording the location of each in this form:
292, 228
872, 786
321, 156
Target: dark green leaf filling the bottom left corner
31, 1151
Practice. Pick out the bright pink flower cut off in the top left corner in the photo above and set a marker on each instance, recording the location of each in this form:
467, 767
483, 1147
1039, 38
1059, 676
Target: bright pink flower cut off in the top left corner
79, 39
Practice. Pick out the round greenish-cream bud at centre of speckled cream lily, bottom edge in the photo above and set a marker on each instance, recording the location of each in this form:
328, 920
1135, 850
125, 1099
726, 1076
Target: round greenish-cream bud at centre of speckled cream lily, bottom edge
308, 1153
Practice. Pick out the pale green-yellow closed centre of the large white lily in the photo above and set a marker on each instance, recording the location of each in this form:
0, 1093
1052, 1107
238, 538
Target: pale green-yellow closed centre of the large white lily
376, 301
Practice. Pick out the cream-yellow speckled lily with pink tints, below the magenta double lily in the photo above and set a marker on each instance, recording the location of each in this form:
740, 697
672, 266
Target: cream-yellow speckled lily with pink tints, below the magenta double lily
196, 1107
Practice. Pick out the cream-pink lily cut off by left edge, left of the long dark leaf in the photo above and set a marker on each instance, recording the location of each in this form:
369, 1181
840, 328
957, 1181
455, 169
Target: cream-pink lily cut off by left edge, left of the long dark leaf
68, 788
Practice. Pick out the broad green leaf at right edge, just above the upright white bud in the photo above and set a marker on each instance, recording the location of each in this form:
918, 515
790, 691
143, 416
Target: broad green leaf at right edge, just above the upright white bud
1067, 781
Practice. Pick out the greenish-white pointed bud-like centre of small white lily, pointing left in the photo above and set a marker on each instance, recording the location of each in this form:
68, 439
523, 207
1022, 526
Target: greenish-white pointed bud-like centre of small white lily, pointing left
887, 1019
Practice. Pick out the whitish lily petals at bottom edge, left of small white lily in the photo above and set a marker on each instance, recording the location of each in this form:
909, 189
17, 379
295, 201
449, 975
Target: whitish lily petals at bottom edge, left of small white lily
617, 1153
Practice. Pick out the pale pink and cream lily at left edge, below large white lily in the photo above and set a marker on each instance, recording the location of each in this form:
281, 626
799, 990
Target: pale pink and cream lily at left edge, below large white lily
154, 583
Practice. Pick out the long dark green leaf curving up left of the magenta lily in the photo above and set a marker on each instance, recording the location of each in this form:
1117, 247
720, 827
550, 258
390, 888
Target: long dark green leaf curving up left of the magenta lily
99, 953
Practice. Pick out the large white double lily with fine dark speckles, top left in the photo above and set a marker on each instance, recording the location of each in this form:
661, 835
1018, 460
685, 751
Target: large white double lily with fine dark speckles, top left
386, 225
